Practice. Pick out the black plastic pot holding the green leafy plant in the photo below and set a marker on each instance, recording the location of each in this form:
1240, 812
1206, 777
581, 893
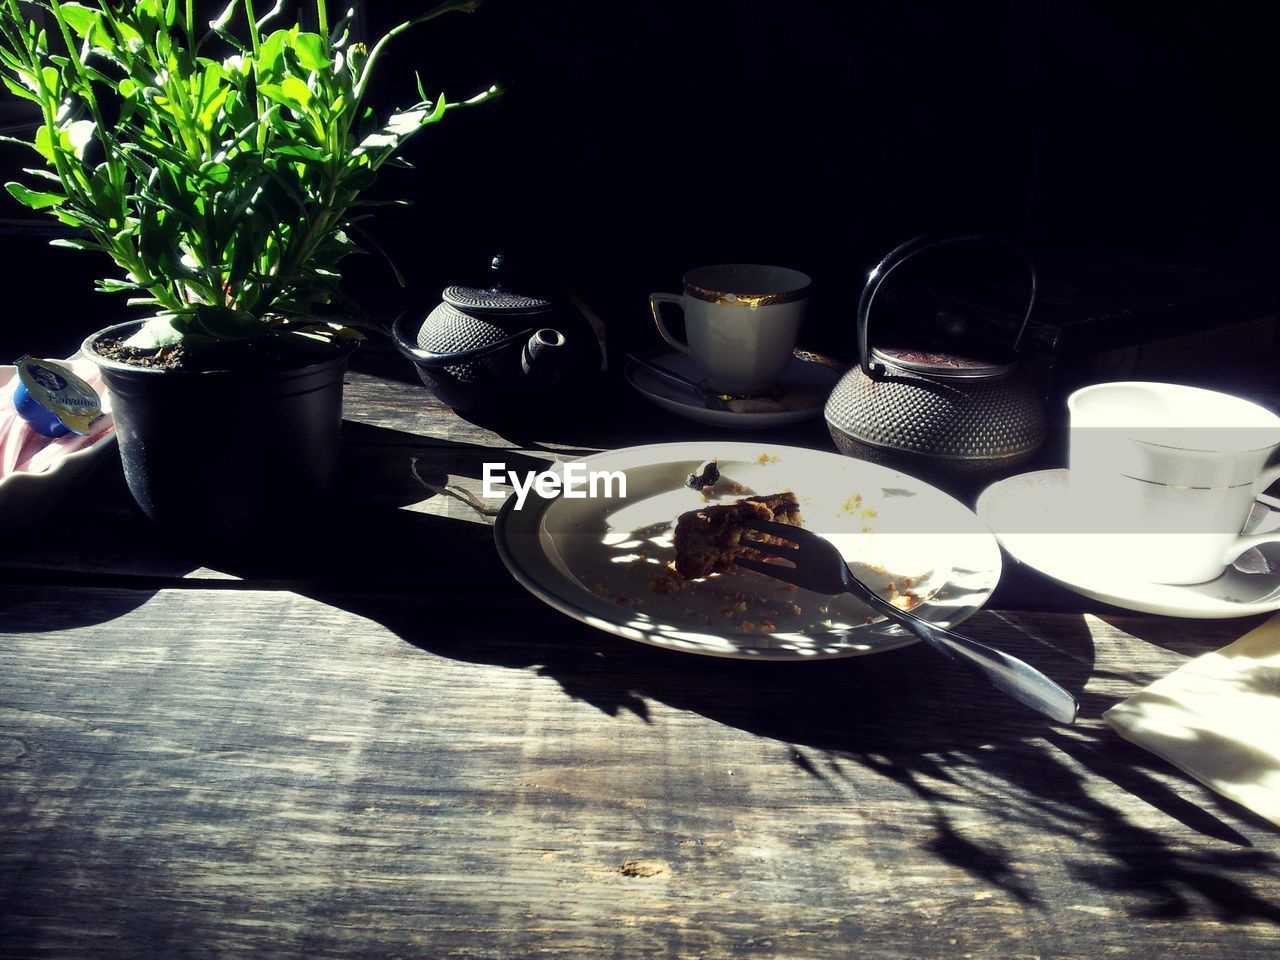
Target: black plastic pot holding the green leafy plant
226, 458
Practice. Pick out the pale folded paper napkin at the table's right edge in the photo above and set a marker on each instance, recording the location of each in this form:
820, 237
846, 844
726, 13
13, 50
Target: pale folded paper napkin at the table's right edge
1218, 719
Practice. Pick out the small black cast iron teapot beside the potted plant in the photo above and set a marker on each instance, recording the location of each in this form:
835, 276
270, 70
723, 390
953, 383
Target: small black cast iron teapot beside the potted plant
509, 345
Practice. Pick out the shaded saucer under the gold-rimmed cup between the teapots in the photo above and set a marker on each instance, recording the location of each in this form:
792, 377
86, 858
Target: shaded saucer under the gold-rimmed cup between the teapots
806, 386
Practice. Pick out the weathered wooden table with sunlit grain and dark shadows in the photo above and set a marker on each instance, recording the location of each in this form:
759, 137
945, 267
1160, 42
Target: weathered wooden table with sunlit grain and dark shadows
385, 747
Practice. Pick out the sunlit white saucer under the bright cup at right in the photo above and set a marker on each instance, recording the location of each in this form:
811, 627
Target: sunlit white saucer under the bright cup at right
1032, 519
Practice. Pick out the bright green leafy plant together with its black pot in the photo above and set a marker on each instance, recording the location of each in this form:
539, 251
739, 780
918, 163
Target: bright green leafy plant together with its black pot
222, 170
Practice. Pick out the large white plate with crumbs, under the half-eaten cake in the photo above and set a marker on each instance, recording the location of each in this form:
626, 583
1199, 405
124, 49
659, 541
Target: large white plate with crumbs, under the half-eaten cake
598, 560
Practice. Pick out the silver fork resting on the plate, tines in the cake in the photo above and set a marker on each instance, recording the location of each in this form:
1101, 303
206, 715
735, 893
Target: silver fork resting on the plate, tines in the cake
819, 566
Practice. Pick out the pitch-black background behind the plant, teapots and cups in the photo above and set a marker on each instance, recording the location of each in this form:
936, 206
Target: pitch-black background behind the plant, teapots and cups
636, 141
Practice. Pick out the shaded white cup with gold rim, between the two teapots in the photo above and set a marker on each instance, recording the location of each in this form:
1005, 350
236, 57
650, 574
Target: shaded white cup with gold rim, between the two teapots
742, 322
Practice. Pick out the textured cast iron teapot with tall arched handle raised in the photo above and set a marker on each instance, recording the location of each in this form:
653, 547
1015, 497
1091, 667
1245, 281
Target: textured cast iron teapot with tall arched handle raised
956, 417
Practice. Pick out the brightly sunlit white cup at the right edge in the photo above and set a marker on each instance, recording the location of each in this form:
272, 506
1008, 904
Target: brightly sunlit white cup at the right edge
1167, 477
